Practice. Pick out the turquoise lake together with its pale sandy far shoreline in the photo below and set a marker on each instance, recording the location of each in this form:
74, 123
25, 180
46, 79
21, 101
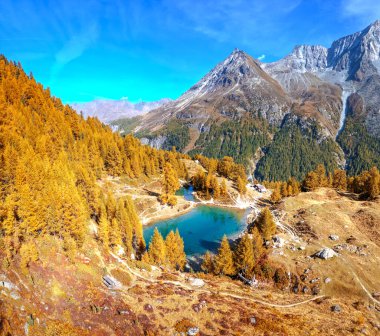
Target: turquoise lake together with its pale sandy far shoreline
202, 224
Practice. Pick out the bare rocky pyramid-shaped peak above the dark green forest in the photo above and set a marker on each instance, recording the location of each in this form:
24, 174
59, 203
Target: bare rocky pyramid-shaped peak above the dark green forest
234, 87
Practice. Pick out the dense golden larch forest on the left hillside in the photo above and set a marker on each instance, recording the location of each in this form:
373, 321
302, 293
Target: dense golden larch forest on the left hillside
50, 159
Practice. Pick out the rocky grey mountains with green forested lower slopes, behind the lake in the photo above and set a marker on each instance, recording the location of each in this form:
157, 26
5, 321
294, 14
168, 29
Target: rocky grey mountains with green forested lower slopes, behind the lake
315, 105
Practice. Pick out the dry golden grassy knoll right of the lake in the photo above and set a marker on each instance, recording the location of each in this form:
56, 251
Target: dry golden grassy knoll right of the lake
325, 212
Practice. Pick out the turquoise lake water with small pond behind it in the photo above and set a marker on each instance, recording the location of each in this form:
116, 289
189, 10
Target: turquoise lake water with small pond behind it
202, 228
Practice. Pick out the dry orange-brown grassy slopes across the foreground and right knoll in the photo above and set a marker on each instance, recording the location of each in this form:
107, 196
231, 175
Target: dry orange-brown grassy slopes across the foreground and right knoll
159, 302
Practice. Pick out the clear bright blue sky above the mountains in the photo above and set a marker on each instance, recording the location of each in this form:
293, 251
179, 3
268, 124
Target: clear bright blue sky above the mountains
151, 49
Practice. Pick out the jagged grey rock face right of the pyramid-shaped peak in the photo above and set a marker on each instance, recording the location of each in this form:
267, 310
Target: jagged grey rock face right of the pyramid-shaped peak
351, 62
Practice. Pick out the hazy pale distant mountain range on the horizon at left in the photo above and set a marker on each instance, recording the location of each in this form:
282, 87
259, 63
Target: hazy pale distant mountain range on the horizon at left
108, 110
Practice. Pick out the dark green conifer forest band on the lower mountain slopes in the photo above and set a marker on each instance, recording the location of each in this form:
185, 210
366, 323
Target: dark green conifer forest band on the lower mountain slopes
293, 151
